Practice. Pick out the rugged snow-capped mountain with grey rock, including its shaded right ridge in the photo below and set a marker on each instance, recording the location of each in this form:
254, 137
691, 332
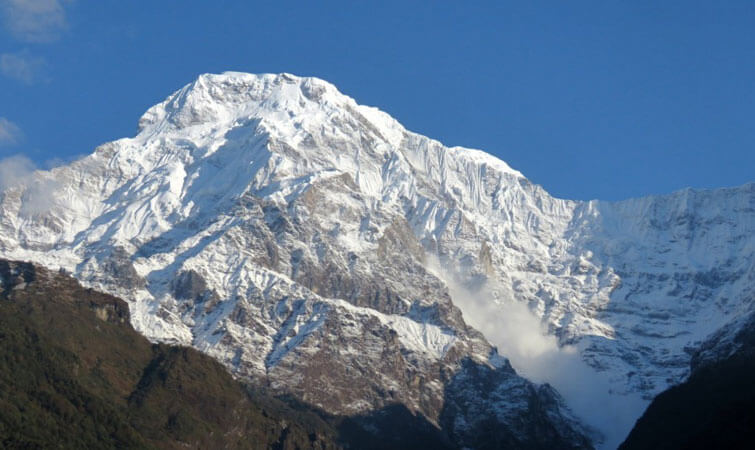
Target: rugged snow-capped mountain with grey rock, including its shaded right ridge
309, 242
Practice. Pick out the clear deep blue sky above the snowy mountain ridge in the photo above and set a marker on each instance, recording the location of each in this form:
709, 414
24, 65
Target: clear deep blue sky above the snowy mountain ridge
603, 99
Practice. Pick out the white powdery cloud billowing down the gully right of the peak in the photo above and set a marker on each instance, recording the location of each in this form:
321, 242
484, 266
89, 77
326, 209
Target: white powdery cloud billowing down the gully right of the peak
521, 337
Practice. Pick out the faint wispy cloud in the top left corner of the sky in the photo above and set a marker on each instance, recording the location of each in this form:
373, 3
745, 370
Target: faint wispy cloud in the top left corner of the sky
34, 20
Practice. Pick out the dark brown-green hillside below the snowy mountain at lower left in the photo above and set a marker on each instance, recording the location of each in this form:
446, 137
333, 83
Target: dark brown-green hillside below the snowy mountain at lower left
74, 374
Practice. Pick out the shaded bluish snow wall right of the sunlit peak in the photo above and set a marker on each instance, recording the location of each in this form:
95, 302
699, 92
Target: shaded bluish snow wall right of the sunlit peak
682, 268
